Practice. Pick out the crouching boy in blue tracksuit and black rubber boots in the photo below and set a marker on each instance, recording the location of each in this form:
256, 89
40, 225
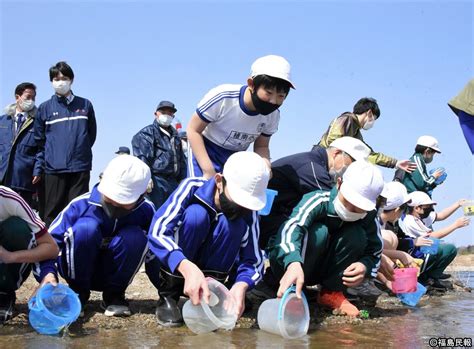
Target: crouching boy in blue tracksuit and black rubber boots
203, 229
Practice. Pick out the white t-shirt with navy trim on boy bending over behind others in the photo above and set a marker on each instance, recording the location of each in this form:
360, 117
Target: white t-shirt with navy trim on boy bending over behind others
231, 125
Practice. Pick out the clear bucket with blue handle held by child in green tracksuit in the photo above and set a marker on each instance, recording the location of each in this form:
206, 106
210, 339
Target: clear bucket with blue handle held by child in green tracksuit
287, 317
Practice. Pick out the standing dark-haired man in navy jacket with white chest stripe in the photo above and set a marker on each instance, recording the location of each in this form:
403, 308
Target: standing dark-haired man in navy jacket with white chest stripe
65, 131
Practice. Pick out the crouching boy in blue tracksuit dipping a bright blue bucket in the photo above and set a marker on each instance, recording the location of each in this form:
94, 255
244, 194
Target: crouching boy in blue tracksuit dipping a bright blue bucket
102, 234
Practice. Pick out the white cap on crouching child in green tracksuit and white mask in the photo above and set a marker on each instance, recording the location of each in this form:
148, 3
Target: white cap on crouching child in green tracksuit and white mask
361, 185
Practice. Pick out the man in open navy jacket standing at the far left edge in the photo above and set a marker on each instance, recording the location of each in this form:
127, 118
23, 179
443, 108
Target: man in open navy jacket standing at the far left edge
19, 169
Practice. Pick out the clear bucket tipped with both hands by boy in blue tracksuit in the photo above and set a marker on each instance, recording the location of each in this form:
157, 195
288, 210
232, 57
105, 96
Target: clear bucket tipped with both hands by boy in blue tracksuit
219, 313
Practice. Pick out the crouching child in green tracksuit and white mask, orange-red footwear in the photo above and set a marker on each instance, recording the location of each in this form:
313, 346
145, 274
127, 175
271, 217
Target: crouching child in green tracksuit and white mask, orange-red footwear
332, 238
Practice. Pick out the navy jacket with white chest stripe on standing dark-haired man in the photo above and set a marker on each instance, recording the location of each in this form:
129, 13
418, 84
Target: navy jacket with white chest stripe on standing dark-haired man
65, 134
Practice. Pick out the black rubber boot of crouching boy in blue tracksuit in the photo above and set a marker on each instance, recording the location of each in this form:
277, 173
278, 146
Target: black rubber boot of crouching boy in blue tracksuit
167, 311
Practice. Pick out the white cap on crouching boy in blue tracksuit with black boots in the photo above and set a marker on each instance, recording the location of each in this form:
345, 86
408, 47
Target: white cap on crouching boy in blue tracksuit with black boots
247, 175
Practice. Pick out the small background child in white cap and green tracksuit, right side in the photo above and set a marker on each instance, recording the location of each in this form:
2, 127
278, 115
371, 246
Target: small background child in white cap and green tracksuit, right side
419, 179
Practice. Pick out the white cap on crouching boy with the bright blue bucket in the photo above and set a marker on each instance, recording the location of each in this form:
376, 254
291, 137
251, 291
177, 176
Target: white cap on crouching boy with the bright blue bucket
124, 179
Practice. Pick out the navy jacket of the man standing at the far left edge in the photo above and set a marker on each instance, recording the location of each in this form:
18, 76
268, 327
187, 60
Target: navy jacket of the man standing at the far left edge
18, 162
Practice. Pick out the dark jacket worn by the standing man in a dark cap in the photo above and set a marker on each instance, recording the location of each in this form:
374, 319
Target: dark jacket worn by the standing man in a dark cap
161, 150
